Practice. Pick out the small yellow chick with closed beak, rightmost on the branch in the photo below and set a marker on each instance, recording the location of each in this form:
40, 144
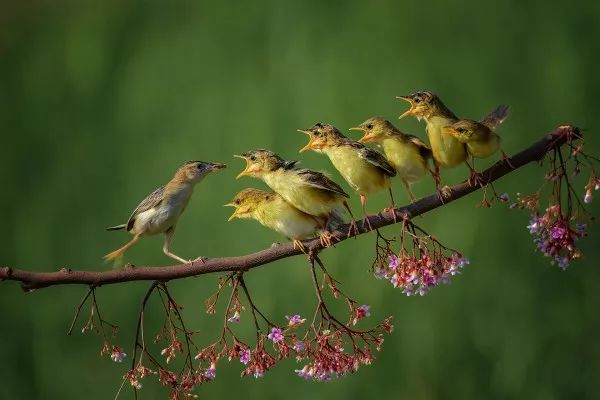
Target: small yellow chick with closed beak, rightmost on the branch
479, 137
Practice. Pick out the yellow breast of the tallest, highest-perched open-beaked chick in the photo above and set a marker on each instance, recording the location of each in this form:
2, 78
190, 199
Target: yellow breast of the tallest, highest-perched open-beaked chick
447, 150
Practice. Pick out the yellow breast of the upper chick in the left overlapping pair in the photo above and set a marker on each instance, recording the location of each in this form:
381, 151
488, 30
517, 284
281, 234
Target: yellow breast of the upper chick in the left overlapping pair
307, 198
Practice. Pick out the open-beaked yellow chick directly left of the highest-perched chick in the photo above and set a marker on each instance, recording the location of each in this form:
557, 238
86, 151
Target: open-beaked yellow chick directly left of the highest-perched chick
408, 154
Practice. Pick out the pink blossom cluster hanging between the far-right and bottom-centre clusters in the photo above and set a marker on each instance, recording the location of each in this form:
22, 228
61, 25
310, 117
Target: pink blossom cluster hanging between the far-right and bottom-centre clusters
417, 275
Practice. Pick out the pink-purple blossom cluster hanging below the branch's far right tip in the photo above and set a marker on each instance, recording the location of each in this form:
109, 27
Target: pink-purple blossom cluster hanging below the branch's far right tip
555, 235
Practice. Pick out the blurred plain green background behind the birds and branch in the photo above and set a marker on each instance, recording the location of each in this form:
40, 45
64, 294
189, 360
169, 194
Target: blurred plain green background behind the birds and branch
100, 102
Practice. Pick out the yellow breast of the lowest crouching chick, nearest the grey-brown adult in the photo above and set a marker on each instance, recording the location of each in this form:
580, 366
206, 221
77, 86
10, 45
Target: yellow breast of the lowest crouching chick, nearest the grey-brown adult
284, 218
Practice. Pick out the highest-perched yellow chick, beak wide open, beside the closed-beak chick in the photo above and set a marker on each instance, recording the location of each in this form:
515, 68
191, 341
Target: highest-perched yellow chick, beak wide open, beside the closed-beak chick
447, 151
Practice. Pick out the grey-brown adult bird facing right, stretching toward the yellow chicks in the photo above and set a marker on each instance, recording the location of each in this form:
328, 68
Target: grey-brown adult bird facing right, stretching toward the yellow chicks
161, 209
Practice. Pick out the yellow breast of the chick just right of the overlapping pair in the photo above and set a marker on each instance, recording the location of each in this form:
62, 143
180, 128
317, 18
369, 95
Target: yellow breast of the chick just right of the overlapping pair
360, 174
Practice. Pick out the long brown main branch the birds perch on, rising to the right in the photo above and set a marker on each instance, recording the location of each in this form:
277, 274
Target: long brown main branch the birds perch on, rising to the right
35, 280
